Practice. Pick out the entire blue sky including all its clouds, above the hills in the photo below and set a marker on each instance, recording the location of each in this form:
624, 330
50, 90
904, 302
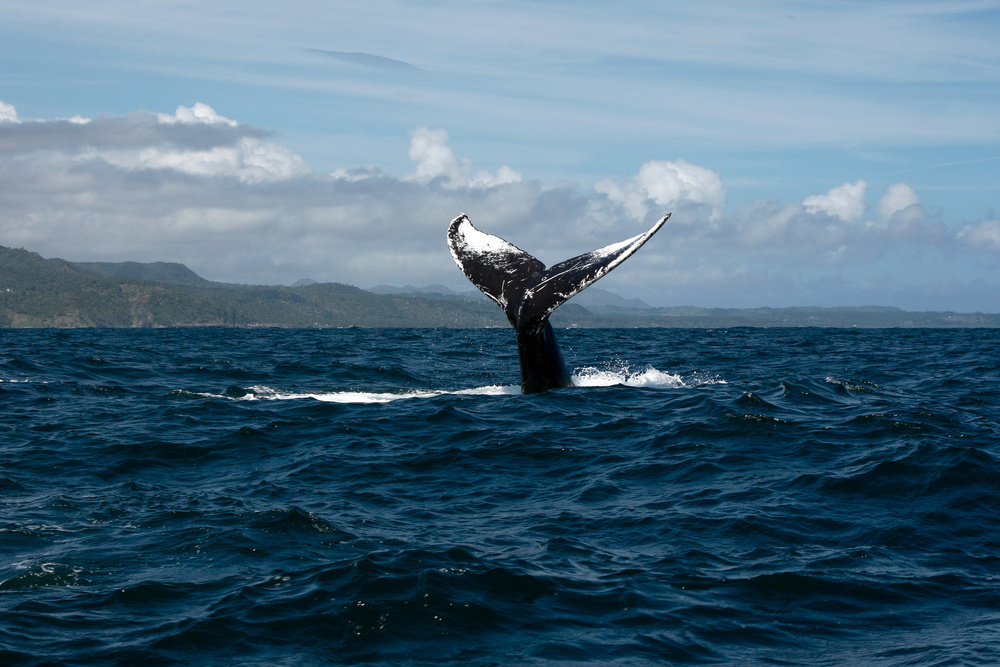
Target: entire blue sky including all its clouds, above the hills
811, 153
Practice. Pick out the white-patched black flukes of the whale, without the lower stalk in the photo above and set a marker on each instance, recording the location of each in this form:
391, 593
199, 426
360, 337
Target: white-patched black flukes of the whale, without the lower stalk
521, 285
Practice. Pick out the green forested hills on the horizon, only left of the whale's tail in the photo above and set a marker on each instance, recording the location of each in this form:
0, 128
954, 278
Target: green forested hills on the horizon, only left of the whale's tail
38, 292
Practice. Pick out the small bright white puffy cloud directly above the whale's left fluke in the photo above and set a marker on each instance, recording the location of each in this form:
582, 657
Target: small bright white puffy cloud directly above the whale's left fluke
436, 160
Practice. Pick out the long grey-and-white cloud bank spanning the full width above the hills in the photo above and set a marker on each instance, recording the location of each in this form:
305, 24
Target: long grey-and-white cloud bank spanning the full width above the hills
231, 202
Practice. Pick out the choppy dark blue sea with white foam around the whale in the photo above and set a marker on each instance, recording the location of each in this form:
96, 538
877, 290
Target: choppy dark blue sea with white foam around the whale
315, 497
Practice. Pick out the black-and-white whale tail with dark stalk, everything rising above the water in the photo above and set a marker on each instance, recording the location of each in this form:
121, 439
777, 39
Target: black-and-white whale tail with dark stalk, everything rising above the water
528, 292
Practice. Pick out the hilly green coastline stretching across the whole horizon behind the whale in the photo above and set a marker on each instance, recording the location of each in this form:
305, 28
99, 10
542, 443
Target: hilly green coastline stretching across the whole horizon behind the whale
39, 292
